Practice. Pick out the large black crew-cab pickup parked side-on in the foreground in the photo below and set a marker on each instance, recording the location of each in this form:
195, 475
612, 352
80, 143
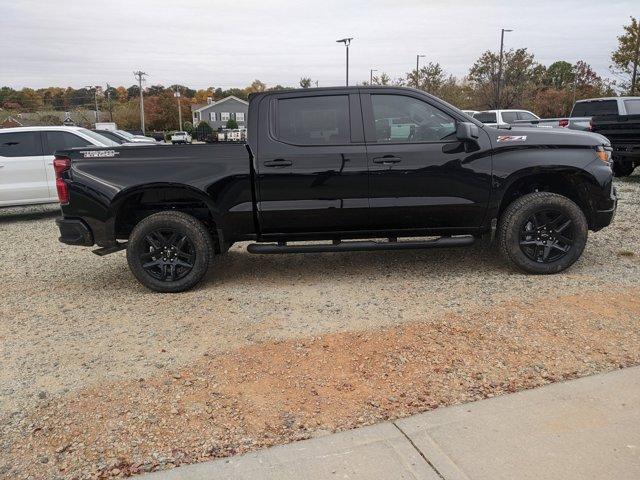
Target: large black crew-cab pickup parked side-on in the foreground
348, 169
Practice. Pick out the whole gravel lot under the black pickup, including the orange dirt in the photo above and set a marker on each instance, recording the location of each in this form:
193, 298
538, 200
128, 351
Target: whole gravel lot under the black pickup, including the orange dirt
101, 377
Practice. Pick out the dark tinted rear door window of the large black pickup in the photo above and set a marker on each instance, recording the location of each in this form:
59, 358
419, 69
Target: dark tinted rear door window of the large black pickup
314, 120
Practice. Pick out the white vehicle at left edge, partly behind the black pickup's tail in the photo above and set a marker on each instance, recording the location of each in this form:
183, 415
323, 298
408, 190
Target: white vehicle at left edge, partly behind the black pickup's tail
26, 161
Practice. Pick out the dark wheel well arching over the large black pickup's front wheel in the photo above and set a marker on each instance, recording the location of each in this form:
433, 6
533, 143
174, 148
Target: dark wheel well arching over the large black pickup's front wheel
564, 184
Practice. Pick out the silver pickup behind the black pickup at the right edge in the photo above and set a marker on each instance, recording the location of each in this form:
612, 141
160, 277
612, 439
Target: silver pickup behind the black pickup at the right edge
584, 110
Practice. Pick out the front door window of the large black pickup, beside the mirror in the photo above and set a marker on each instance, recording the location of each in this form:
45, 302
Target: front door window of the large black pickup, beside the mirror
405, 119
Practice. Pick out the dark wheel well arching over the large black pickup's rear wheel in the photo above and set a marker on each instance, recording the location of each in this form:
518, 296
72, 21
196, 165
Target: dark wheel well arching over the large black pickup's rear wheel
141, 204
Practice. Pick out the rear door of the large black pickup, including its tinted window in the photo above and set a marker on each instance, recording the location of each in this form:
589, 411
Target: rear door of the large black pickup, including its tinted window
312, 164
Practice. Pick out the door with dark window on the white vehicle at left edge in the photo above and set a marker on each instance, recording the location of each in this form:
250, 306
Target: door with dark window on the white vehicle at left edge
23, 178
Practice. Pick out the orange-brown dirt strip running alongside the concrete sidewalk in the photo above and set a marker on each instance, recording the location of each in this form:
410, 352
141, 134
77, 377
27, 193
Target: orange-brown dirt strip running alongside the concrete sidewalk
276, 392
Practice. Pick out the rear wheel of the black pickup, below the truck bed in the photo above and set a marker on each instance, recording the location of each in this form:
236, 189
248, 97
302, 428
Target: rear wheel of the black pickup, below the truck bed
169, 251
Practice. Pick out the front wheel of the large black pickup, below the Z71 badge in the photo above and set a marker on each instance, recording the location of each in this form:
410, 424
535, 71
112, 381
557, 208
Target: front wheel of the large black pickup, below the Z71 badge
542, 233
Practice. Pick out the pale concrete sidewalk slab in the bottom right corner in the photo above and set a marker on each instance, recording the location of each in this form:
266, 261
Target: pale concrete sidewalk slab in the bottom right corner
581, 429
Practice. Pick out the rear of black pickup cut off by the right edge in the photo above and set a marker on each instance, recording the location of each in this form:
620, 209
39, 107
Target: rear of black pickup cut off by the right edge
623, 131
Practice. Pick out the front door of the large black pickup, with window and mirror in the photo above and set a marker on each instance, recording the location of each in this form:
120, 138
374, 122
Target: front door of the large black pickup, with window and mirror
420, 175
